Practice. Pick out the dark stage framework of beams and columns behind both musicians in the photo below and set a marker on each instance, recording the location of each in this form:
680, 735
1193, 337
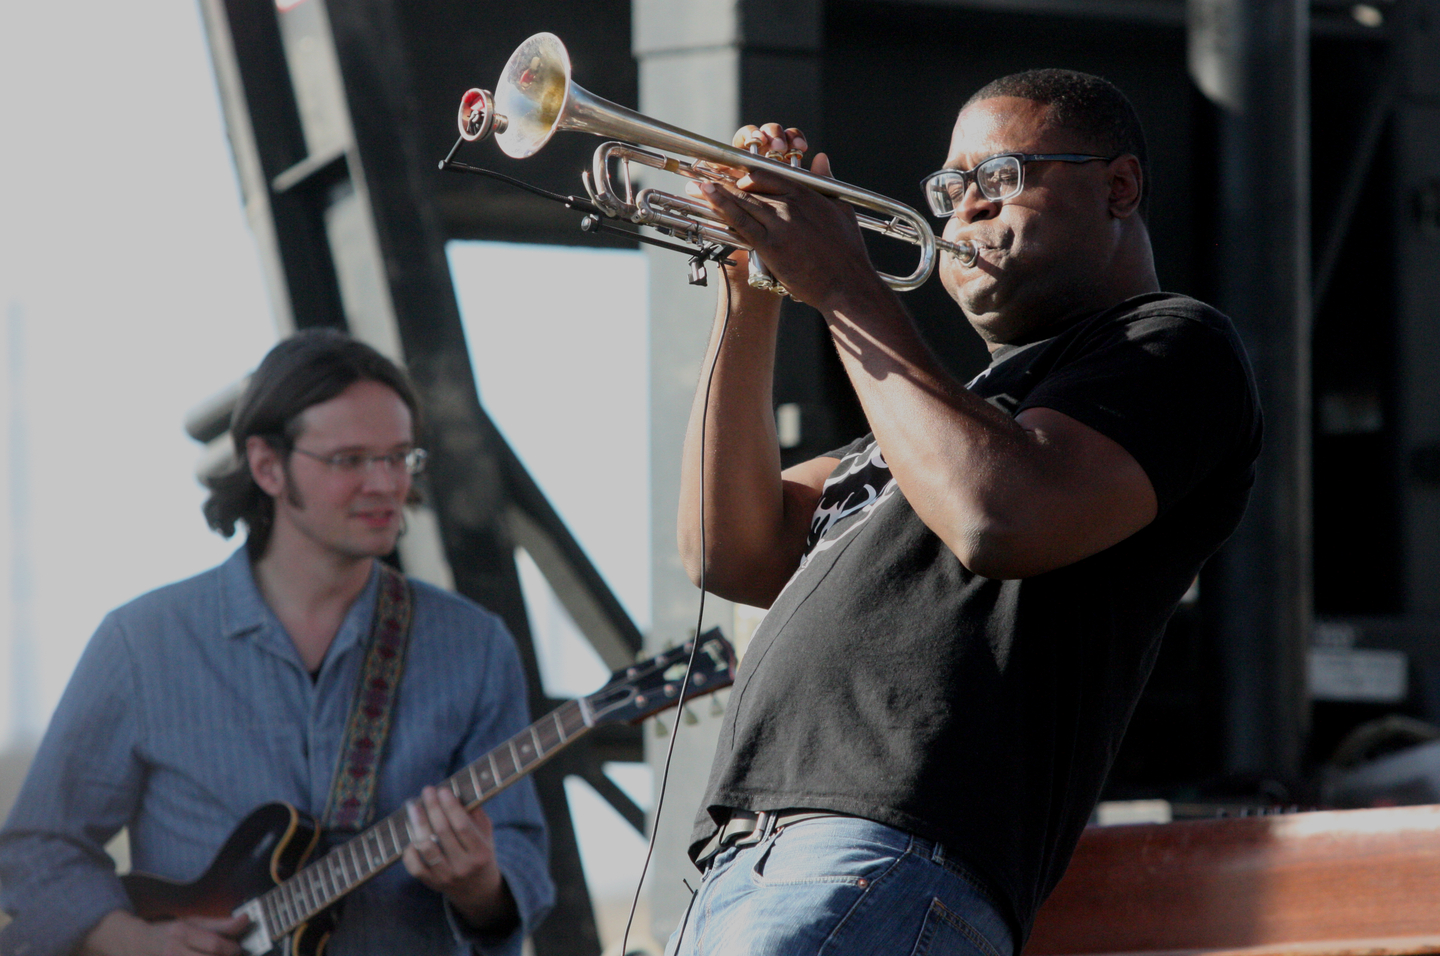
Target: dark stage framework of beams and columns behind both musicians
1297, 156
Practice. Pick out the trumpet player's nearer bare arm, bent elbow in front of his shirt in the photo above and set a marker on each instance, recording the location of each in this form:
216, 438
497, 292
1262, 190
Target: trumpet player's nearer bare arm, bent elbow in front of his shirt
1010, 497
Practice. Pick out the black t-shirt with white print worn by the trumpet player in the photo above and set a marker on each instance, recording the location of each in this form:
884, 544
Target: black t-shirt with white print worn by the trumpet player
888, 682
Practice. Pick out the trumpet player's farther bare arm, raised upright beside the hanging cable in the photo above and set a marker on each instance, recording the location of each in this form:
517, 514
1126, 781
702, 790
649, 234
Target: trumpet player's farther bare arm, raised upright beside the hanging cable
755, 516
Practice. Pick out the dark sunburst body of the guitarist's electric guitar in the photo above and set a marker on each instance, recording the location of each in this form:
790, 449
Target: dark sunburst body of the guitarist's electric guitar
263, 852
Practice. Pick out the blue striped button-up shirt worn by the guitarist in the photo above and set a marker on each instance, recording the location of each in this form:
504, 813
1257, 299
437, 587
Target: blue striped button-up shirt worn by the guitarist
191, 708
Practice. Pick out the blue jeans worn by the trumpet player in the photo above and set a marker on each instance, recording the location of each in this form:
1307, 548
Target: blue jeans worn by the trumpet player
840, 886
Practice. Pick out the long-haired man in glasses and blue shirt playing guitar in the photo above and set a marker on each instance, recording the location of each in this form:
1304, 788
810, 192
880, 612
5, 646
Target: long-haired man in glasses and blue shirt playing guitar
202, 700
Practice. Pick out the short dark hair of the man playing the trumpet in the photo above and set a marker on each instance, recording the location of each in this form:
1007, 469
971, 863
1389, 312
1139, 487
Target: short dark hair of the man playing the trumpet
1091, 107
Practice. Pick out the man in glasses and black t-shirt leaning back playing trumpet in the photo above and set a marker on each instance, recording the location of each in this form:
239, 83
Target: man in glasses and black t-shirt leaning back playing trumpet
966, 604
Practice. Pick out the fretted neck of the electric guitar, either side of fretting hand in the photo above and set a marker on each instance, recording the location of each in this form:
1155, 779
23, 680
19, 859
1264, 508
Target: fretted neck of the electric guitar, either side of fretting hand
326, 880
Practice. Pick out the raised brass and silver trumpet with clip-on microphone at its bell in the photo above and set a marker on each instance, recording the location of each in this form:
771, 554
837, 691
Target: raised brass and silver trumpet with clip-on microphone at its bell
536, 97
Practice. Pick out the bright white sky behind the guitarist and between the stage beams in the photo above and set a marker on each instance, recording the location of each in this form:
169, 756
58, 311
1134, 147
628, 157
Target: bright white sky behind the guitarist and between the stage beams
130, 292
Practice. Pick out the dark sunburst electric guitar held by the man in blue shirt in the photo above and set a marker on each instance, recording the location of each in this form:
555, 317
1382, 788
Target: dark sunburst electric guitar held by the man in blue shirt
264, 869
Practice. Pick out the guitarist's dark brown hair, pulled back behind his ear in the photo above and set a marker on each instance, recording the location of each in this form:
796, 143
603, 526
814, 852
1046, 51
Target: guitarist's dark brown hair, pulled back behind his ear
306, 369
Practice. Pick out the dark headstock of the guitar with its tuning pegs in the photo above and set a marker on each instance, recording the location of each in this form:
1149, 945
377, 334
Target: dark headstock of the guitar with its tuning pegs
649, 687
